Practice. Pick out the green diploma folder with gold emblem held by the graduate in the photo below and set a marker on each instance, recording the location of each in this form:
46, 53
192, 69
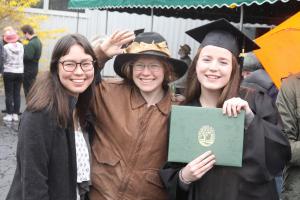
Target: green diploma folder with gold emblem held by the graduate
195, 130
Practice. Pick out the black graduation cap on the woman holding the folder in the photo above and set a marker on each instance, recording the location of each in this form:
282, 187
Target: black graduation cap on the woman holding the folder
222, 33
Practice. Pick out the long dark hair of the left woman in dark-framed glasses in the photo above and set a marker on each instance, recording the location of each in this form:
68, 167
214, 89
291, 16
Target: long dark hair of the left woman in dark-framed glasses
48, 92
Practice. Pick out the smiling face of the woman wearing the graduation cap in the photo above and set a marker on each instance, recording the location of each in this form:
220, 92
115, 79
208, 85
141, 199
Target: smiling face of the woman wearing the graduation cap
214, 67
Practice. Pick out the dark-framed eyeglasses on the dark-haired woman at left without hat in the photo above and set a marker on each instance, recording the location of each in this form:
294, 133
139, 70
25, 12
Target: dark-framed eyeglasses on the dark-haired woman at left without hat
70, 65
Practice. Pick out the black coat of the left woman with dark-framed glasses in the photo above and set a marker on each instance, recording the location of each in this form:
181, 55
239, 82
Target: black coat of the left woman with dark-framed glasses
46, 160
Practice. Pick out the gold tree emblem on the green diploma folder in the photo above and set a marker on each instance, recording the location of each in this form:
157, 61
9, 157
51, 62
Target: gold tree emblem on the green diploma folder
206, 135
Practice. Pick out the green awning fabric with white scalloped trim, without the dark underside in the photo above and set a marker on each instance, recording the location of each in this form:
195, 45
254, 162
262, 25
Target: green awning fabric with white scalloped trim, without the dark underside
113, 4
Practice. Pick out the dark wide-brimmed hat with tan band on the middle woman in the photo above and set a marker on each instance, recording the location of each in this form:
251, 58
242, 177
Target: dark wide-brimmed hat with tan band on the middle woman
153, 44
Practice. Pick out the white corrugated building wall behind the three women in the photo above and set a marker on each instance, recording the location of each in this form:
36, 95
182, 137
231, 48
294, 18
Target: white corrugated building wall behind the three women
95, 22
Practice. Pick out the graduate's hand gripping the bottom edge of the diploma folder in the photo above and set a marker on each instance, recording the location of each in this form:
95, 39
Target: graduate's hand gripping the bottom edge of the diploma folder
198, 167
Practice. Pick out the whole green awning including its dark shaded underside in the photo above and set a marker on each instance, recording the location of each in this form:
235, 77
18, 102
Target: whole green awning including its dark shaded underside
270, 12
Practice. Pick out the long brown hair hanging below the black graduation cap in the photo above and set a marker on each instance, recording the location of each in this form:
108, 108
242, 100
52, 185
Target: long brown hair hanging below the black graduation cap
193, 86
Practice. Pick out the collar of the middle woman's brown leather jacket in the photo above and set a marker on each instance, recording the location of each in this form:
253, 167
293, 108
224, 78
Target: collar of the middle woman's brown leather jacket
137, 101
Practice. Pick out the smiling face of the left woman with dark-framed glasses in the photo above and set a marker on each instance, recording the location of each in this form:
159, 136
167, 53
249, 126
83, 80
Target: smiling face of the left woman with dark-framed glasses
77, 81
